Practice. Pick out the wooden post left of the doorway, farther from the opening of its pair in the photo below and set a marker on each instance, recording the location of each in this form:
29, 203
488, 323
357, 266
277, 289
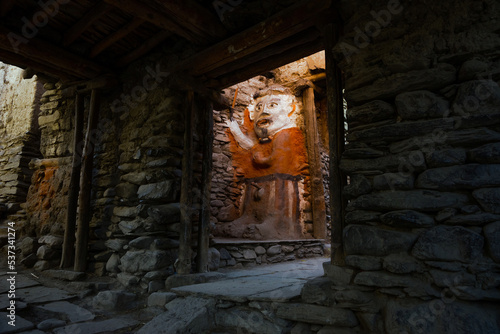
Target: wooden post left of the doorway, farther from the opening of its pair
186, 230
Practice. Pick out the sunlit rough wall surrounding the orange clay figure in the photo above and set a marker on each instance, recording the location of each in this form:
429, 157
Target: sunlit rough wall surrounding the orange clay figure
226, 188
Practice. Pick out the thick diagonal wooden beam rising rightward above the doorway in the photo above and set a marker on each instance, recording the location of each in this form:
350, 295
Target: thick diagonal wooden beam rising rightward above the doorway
278, 27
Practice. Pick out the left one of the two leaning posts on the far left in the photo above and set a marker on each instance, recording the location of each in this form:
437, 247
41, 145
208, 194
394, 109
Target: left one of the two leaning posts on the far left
74, 186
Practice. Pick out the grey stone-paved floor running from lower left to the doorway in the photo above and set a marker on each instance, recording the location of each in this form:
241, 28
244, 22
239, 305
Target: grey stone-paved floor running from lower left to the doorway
45, 304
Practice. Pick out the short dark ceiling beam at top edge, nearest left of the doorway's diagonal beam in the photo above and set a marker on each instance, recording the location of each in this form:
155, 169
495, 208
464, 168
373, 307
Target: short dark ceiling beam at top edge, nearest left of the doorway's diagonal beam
193, 16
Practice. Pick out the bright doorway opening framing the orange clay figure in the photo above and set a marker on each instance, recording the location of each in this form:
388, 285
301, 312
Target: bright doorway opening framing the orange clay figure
270, 191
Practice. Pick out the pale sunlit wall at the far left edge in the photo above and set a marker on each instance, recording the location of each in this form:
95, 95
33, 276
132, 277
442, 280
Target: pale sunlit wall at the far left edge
19, 137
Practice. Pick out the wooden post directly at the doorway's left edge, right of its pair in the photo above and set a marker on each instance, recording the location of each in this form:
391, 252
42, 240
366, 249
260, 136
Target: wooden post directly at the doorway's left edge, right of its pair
206, 180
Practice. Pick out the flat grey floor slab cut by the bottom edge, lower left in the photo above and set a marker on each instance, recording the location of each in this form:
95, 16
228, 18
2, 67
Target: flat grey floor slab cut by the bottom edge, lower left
109, 325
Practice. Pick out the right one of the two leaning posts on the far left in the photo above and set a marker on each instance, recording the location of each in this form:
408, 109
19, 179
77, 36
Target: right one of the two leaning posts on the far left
85, 212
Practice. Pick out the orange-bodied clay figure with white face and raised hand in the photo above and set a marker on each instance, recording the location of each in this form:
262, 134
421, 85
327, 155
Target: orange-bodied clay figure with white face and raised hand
269, 154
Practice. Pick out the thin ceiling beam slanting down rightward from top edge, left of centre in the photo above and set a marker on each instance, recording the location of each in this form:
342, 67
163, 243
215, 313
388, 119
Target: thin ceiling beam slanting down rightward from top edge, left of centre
159, 19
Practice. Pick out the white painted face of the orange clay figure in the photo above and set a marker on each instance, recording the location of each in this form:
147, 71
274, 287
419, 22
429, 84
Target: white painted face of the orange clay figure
271, 114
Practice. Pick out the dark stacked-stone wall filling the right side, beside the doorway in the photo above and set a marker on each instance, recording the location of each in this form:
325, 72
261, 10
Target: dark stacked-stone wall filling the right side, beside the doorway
422, 223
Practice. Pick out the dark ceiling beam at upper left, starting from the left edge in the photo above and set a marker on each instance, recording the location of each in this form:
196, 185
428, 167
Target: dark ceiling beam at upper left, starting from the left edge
45, 53
